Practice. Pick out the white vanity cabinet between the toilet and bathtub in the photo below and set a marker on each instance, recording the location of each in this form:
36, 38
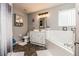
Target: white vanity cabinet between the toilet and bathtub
37, 37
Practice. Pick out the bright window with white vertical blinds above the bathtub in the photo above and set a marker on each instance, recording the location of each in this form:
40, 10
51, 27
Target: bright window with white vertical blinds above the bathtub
67, 17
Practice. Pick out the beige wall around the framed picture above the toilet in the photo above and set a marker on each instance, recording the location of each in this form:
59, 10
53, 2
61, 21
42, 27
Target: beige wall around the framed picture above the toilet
20, 30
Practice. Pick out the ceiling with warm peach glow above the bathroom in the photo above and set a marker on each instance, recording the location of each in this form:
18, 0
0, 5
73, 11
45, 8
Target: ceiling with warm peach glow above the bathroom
33, 7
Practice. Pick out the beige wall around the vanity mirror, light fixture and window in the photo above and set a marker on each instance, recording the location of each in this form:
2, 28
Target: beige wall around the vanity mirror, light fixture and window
52, 20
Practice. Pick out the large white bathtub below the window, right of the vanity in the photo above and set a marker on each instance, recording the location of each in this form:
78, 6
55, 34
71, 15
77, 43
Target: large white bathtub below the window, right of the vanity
63, 39
